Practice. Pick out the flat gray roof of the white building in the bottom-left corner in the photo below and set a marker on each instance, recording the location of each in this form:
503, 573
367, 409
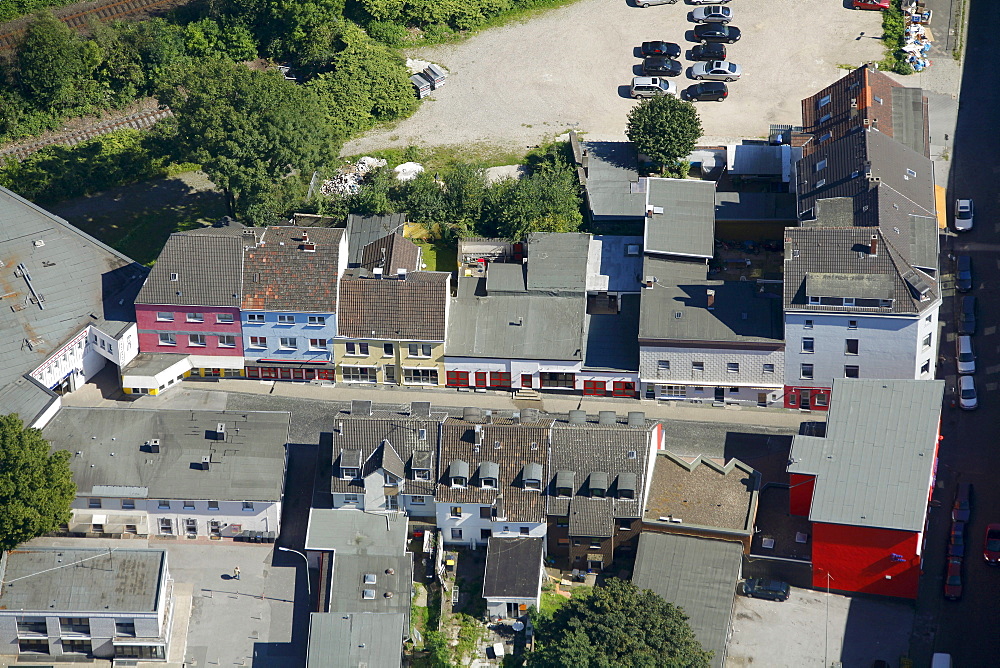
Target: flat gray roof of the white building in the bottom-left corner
58, 580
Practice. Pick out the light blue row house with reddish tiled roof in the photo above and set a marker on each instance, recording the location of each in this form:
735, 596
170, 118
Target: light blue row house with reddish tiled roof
289, 305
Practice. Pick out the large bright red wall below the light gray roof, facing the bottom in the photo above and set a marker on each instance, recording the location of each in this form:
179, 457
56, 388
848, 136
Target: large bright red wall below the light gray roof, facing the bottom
859, 559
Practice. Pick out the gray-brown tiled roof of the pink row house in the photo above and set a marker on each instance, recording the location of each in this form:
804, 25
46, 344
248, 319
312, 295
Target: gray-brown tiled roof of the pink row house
208, 270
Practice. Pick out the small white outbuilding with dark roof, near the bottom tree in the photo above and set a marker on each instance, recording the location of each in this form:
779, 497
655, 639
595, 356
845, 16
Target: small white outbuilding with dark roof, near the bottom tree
513, 580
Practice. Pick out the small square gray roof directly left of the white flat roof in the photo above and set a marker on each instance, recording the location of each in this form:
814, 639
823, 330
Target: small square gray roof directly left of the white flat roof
557, 262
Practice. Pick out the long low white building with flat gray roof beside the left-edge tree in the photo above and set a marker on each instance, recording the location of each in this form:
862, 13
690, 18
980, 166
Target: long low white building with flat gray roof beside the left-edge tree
171, 473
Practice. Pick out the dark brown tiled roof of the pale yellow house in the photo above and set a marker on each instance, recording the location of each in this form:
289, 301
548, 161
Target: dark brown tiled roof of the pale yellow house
395, 309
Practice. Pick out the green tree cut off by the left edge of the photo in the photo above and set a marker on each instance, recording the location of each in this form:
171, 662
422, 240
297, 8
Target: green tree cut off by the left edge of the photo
36, 485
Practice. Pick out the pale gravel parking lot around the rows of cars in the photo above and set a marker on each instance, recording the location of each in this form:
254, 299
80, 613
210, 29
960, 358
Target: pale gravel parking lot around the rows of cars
570, 68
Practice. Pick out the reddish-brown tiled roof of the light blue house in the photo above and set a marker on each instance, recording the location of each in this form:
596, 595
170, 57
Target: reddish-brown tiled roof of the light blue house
282, 275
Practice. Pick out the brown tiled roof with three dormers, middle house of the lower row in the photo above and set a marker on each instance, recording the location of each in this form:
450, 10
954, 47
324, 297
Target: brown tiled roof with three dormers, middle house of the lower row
511, 446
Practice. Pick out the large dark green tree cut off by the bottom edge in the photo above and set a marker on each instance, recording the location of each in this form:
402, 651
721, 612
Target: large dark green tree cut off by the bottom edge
617, 625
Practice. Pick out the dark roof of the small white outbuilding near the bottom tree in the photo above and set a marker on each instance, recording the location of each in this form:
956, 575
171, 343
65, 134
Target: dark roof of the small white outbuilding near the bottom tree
513, 567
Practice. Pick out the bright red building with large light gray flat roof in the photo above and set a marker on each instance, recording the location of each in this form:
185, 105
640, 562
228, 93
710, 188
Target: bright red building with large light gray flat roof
866, 484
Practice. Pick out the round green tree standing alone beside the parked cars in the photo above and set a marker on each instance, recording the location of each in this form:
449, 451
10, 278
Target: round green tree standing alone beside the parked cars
665, 128
